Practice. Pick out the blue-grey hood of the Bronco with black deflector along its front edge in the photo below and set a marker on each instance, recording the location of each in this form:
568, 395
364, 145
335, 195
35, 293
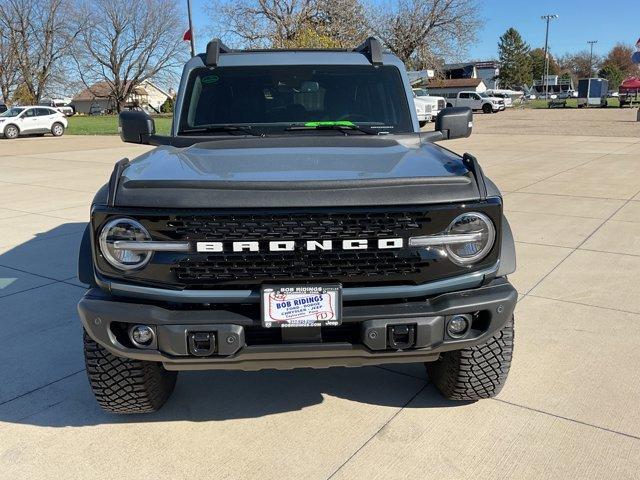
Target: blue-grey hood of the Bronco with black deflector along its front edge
297, 171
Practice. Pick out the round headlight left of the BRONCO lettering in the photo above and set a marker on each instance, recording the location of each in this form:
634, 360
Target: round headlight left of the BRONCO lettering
124, 230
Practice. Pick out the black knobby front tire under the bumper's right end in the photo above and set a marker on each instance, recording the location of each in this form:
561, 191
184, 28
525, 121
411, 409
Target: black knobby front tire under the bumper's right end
476, 372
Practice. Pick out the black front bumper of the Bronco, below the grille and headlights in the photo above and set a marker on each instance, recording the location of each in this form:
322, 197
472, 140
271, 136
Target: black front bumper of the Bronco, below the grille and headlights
242, 344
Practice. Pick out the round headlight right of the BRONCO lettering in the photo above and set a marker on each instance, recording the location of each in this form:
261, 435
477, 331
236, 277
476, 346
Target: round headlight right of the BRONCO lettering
475, 250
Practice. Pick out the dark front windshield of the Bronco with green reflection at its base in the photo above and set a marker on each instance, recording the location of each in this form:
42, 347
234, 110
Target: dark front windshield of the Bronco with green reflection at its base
271, 99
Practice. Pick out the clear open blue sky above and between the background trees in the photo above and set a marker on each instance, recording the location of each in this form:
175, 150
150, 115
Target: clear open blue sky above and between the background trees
608, 22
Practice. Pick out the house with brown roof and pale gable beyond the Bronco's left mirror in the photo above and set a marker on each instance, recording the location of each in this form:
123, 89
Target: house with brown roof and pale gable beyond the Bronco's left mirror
97, 97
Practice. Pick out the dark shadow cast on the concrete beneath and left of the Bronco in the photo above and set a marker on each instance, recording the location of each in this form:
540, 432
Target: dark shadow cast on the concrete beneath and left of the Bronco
48, 387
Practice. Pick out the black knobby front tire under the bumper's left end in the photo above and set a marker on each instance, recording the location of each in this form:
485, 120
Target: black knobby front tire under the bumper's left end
122, 385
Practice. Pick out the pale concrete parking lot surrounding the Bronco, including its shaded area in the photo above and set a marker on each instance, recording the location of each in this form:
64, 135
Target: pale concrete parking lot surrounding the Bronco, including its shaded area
569, 410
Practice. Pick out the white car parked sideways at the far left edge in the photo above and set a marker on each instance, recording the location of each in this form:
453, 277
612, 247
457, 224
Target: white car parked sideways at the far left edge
32, 120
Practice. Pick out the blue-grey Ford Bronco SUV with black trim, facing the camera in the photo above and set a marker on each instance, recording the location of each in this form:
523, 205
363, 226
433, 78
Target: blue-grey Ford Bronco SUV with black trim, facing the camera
295, 217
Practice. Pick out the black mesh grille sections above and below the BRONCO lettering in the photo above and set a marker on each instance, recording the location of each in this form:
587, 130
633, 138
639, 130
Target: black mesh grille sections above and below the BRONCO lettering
251, 267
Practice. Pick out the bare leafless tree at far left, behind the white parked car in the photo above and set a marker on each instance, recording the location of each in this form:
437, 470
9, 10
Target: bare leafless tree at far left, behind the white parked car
39, 34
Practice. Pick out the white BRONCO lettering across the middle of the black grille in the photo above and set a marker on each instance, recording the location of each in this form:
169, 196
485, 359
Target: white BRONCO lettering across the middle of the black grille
309, 246
